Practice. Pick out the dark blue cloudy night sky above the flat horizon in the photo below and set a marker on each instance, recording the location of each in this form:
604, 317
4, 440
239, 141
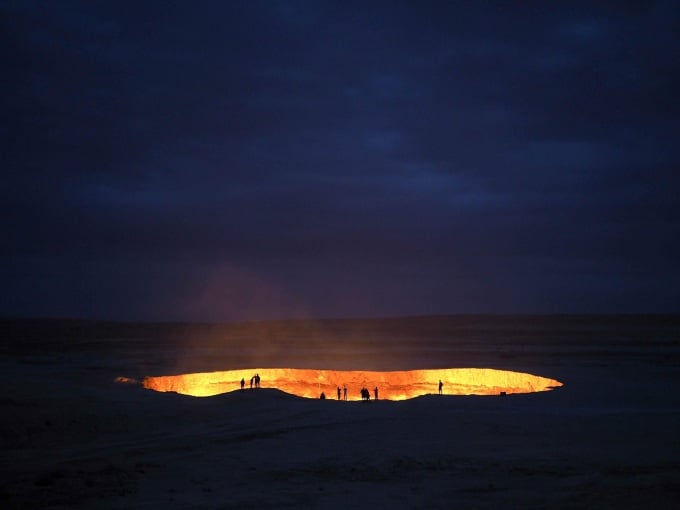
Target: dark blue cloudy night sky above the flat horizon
258, 160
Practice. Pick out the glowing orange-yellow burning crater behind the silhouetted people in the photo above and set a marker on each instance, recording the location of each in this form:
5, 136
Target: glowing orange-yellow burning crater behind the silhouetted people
397, 385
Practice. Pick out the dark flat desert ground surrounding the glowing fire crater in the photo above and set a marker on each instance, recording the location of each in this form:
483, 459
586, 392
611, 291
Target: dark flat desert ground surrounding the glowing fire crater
73, 437
